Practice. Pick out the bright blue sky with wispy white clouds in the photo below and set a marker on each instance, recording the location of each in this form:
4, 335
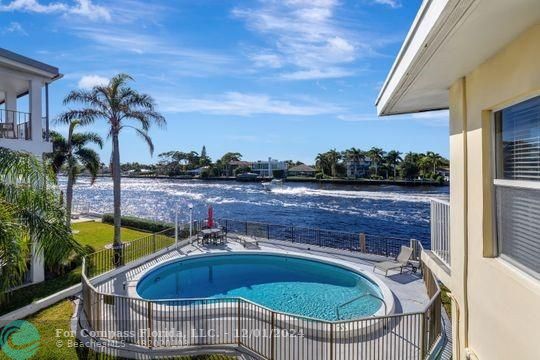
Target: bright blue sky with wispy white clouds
279, 78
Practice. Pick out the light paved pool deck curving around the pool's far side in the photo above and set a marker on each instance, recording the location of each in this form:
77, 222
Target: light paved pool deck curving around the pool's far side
408, 288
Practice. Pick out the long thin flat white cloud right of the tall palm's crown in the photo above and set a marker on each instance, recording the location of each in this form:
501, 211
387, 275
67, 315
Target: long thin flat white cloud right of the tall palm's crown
241, 104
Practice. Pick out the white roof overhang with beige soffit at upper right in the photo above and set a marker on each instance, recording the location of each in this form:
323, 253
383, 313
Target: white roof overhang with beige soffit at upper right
449, 39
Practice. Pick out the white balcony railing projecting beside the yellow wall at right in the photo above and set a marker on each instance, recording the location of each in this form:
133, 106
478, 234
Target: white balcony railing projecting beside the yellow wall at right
440, 229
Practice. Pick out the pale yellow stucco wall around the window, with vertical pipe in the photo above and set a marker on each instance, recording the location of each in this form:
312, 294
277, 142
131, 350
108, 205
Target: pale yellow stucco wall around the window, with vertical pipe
497, 304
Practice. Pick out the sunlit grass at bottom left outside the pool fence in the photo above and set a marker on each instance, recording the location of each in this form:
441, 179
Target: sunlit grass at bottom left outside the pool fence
57, 342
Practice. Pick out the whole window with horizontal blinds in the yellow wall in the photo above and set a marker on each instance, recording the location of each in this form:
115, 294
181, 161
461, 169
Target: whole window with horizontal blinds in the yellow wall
517, 184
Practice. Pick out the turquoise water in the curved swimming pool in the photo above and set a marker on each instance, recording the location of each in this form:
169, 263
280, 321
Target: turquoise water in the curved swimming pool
283, 283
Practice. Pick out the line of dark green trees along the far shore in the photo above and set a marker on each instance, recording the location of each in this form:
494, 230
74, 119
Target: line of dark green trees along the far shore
377, 163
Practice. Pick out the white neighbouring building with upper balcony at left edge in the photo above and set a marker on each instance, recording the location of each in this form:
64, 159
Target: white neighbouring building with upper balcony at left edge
26, 129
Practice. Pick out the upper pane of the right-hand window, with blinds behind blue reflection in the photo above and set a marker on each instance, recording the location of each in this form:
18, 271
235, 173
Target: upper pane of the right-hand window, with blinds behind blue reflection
518, 131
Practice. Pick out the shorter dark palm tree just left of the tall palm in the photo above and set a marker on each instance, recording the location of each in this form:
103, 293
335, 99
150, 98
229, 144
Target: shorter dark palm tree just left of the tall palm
73, 154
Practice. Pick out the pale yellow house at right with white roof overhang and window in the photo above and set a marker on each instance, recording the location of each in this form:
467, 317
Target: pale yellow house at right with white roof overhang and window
479, 59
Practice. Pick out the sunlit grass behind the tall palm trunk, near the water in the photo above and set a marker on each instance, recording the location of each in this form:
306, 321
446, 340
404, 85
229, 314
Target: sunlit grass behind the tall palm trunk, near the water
97, 234
